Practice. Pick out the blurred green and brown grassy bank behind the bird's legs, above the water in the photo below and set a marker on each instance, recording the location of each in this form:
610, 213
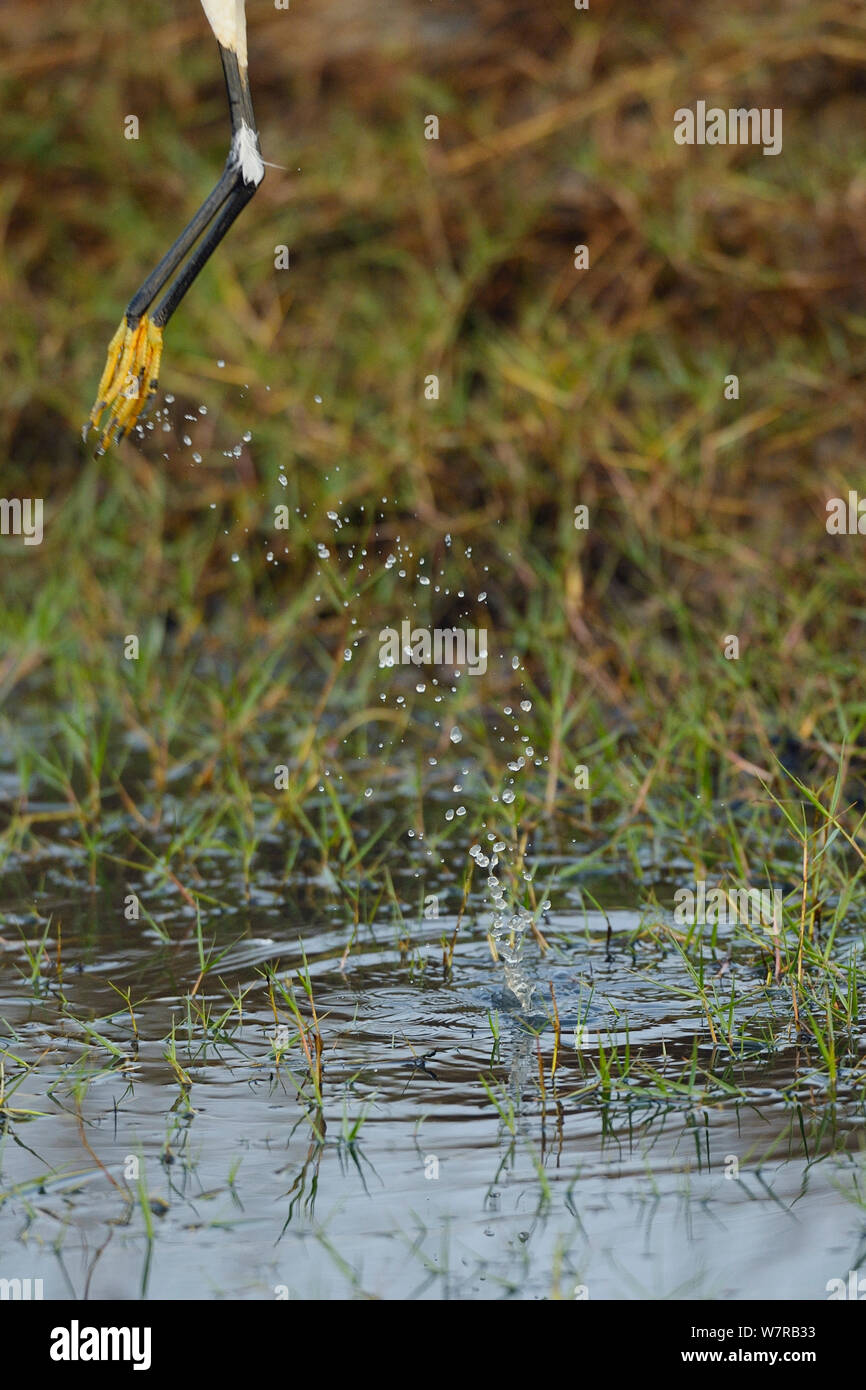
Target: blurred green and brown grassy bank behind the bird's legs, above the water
558, 387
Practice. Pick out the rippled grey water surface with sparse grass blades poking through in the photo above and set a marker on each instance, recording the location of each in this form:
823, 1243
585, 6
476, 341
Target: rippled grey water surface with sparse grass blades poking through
648, 1189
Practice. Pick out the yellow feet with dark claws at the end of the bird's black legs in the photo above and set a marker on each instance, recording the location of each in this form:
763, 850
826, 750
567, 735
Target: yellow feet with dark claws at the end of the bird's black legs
129, 383
